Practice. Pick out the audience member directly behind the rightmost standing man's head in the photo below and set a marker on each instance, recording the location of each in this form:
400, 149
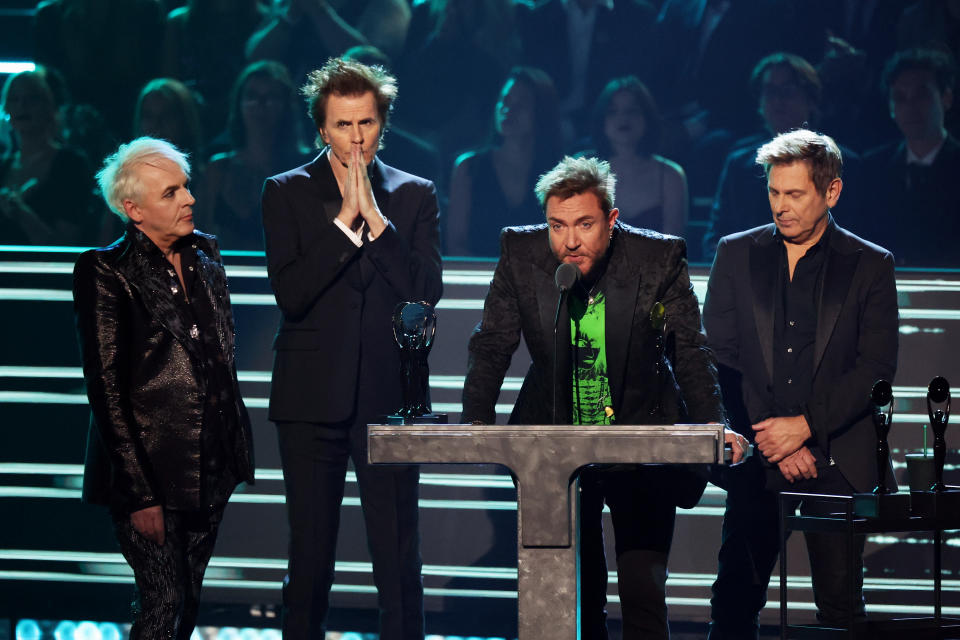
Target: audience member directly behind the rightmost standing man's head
787, 89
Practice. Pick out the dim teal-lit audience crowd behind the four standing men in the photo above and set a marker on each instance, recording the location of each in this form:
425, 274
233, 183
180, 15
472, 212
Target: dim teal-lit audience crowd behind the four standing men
676, 94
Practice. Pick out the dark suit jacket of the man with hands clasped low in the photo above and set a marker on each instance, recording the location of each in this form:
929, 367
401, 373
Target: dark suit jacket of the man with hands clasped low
855, 345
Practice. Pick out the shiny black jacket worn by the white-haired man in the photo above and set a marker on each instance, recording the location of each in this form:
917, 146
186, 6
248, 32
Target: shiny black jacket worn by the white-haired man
144, 375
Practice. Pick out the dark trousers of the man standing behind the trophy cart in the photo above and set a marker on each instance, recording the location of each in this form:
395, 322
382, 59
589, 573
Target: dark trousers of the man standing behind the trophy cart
751, 543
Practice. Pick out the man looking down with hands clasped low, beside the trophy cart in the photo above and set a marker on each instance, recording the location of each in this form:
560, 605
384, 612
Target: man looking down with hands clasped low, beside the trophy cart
802, 315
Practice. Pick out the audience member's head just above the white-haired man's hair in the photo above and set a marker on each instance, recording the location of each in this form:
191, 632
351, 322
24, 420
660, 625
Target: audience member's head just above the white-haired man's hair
167, 109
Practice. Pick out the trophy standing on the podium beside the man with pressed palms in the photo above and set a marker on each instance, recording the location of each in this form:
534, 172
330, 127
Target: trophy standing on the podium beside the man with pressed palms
414, 326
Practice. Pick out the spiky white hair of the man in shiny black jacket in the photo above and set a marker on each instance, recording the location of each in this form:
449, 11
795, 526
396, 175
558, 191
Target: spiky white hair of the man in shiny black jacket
119, 180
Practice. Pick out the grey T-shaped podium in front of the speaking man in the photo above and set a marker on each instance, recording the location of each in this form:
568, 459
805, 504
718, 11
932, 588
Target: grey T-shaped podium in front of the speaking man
544, 461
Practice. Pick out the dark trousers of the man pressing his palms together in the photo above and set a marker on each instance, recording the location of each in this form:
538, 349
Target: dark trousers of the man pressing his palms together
314, 459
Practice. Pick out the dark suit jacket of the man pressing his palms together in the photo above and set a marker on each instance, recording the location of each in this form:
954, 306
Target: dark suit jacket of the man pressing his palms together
336, 336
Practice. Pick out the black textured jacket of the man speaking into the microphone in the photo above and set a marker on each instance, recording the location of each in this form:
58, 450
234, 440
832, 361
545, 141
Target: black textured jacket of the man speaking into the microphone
644, 267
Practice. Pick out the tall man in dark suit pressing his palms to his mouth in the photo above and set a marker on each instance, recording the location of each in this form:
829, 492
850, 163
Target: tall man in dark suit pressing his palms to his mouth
347, 239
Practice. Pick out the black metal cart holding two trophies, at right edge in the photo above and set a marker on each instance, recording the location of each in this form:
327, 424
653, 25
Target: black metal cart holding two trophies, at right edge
934, 508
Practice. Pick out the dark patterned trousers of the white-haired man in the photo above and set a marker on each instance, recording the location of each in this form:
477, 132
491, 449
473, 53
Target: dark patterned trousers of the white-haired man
168, 577
